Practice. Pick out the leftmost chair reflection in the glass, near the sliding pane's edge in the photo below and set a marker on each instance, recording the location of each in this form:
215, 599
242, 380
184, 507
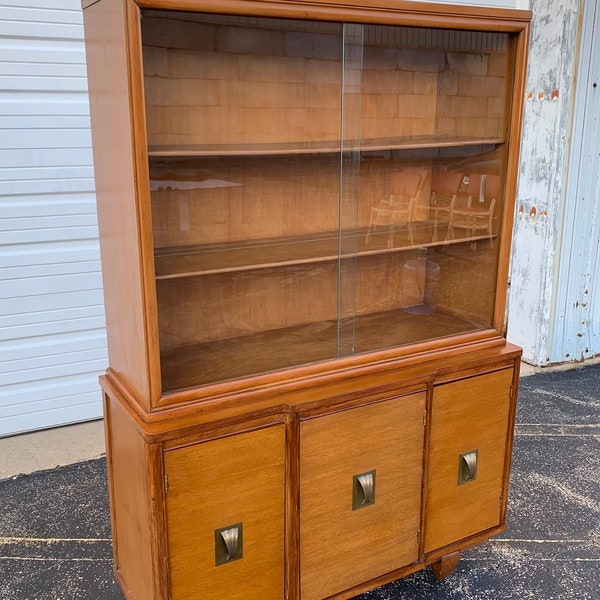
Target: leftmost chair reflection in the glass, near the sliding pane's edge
399, 209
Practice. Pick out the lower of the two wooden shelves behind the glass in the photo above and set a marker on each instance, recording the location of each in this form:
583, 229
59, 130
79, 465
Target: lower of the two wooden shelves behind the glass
192, 261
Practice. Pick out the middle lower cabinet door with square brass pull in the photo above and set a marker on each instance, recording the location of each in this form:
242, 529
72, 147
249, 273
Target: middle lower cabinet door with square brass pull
360, 493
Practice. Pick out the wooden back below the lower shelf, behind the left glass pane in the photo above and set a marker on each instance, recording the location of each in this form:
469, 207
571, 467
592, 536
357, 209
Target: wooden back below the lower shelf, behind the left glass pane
231, 305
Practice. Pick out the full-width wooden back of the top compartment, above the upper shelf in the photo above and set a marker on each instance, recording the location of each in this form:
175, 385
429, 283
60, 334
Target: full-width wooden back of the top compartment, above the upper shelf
232, 80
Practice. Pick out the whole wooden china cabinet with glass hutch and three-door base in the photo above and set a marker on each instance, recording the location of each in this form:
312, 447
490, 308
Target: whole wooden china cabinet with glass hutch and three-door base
305, 212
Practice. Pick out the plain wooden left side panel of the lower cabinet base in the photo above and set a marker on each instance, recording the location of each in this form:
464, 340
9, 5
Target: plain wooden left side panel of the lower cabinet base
129, 493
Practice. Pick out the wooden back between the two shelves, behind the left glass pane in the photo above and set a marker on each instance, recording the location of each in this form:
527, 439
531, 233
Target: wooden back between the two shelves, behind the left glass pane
204, 201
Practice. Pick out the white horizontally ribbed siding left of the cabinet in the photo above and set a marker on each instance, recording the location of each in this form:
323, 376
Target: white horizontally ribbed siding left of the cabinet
52, 336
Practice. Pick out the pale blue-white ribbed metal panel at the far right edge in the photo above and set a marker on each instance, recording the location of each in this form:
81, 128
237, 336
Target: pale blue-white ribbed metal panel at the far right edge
576, 319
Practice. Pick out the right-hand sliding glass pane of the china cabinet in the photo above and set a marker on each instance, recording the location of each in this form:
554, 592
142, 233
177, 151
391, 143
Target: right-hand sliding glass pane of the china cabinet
434, 127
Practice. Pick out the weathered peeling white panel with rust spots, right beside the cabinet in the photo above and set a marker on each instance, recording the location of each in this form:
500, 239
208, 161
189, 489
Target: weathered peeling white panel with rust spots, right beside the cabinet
542, 176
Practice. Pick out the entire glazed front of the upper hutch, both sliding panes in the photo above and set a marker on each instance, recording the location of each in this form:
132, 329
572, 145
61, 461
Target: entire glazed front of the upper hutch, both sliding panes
319, 189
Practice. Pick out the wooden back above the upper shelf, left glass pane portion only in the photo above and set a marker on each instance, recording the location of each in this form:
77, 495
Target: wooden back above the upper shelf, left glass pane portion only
251, 81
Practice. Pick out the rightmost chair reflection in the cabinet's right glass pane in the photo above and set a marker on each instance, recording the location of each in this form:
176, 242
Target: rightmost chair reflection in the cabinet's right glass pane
473, 212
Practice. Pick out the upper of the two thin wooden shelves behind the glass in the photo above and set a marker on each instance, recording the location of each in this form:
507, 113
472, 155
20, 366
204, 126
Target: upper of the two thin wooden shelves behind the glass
321, 147
